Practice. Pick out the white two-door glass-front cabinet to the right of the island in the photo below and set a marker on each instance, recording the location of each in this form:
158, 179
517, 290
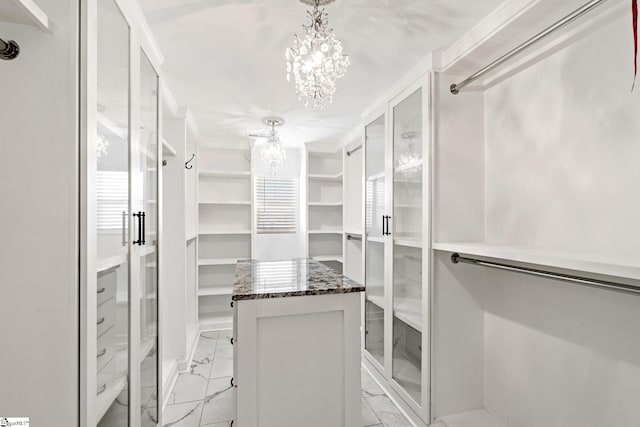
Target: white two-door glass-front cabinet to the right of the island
396, 232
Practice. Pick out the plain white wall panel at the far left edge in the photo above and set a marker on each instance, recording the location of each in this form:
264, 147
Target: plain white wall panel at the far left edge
39, 221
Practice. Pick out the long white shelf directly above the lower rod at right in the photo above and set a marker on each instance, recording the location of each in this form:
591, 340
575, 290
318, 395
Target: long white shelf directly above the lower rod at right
606, 264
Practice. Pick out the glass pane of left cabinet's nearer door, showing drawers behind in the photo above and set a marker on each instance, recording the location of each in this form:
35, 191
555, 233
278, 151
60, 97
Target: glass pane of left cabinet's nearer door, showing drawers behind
112, 222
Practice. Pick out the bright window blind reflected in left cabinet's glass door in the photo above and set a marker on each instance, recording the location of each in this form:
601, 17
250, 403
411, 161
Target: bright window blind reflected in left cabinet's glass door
112, 191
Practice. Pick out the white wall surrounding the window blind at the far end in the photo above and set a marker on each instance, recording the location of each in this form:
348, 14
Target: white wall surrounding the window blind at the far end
283, 246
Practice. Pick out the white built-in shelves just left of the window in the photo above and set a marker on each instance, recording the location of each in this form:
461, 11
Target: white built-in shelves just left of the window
224, 229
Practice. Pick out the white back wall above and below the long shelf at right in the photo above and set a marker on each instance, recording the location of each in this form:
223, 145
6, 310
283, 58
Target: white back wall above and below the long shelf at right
562, 153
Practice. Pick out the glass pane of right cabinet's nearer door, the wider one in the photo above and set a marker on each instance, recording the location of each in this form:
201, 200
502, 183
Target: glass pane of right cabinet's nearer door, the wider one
407, 244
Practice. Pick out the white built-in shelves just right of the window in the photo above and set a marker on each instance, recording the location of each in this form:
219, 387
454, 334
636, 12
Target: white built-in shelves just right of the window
325, 207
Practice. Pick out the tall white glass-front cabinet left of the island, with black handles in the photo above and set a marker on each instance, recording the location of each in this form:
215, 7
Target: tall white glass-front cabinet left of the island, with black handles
120, 375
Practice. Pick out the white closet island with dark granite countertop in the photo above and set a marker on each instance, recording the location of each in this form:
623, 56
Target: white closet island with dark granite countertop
296, 345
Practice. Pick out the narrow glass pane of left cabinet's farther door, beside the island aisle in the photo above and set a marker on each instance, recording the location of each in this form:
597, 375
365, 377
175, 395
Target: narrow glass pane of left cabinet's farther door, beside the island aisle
148, 156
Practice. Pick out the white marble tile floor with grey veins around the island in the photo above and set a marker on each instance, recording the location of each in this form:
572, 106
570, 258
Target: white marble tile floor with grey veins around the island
204, 397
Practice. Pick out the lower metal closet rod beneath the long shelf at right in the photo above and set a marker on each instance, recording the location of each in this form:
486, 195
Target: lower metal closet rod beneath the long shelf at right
456, 258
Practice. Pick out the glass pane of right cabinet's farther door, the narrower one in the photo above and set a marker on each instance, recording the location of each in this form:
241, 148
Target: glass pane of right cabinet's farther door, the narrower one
374, 238
